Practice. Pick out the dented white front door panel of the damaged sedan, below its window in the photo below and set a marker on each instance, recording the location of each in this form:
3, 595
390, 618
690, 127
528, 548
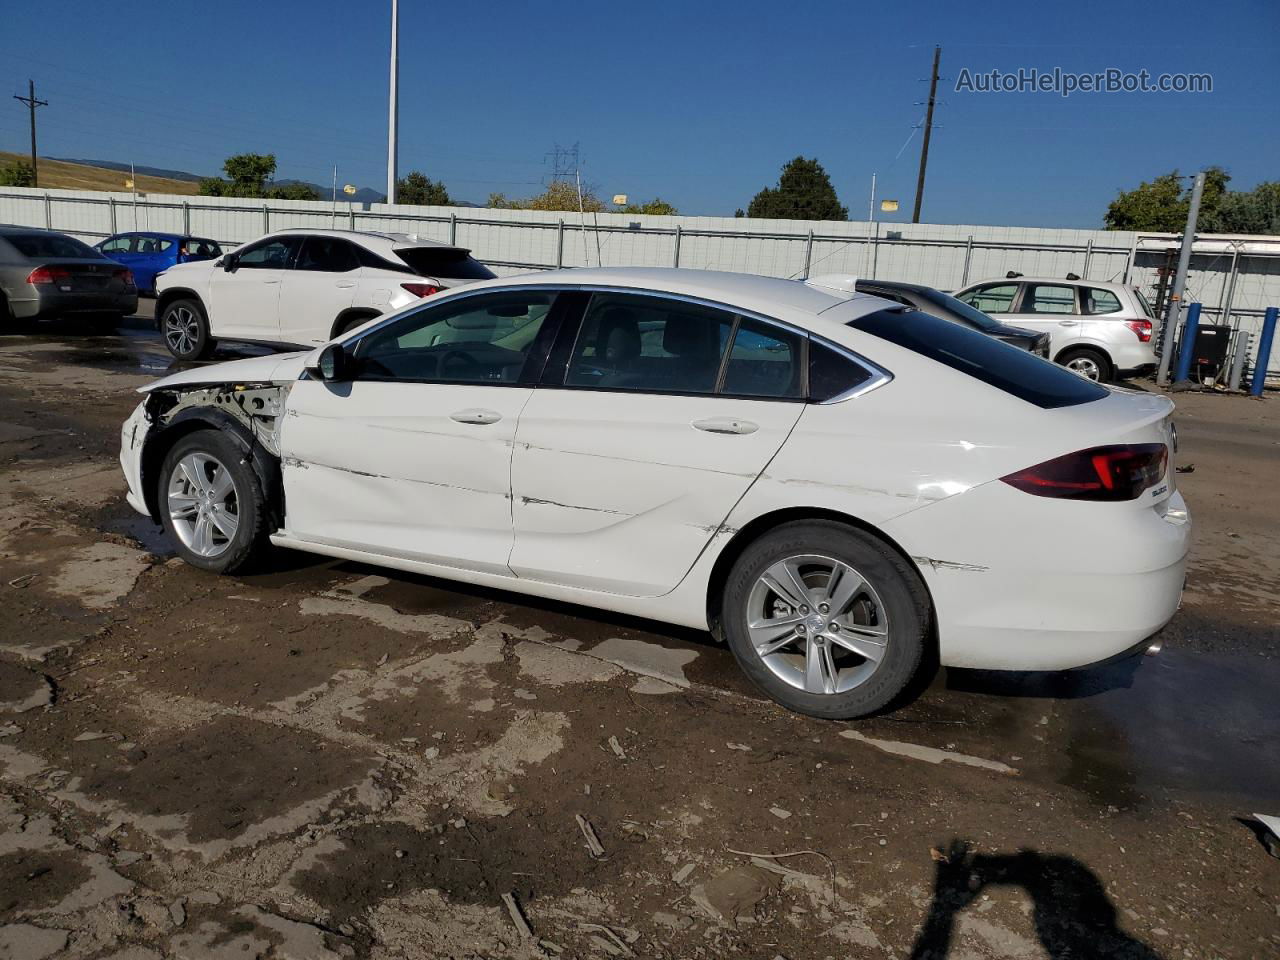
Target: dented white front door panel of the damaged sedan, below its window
387, 468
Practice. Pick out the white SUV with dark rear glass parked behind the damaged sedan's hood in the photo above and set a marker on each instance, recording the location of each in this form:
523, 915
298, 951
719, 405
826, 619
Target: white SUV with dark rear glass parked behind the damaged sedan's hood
303, 287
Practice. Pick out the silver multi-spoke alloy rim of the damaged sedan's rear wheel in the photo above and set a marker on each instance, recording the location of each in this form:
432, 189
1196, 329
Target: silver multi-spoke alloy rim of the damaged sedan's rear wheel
817, 624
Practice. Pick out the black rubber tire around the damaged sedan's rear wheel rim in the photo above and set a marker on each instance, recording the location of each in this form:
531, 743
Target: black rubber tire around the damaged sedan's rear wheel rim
902, 596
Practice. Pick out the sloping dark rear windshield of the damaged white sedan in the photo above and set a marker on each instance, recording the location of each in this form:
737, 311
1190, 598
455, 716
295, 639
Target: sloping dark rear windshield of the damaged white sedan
1016, 372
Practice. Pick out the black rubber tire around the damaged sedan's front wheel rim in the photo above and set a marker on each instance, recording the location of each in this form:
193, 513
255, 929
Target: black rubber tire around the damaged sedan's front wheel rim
249, 542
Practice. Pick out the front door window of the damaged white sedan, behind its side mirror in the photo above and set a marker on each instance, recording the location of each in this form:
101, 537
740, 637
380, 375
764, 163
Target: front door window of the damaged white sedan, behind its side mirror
477, 340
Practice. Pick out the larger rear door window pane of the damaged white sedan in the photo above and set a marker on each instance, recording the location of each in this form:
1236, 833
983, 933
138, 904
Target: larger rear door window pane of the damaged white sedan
630, 342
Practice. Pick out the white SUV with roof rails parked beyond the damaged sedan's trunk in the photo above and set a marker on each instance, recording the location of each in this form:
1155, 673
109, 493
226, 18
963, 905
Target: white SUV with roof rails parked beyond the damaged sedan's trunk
1095, 328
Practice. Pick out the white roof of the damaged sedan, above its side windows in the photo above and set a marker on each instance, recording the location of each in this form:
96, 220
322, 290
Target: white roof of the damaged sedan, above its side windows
797, 301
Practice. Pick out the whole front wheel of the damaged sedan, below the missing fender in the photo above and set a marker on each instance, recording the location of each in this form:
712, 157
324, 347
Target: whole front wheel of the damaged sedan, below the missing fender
212, 502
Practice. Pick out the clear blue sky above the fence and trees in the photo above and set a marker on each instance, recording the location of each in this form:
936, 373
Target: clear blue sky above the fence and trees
698, 103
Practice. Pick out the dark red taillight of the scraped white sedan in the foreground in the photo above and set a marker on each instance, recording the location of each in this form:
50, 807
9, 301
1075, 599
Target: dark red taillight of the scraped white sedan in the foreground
1118, 473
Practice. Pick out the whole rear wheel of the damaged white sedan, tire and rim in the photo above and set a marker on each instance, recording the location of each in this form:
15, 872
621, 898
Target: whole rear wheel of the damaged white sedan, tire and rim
826, 620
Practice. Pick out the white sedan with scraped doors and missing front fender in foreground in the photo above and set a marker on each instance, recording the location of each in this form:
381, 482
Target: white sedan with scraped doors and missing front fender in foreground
842, 488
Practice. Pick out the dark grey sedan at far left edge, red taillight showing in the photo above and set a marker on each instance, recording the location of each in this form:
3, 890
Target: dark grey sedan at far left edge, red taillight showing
45, 275
